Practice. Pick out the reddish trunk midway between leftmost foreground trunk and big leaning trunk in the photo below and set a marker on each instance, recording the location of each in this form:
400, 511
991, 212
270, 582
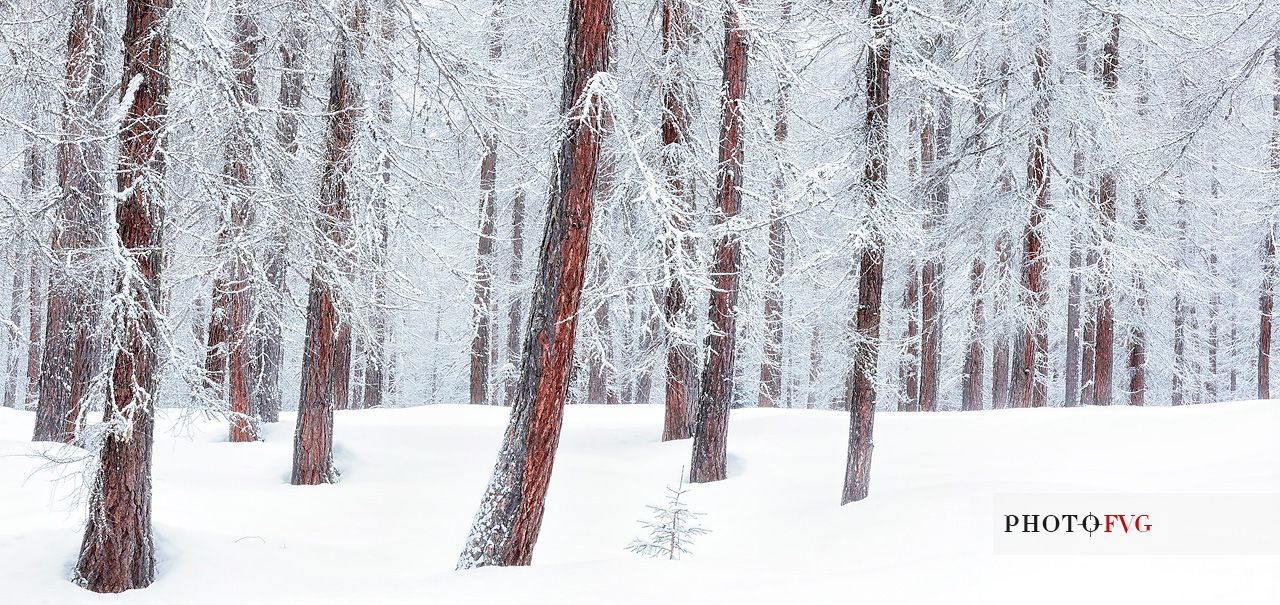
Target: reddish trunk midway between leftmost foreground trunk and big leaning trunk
327, 349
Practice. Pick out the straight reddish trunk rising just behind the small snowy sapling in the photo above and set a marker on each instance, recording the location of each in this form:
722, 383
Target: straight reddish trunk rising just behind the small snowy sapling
711, 421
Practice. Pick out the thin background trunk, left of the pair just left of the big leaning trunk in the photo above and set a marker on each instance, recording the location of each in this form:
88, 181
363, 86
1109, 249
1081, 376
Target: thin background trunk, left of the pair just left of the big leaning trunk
482, 337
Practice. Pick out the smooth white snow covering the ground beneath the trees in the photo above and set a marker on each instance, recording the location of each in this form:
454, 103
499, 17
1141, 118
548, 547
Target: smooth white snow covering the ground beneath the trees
231, 529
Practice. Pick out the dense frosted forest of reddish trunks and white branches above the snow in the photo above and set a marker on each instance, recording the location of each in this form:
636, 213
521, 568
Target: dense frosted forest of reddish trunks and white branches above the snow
258, 214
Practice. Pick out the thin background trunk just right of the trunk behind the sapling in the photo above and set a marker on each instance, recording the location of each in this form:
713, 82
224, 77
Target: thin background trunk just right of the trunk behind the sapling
771, 369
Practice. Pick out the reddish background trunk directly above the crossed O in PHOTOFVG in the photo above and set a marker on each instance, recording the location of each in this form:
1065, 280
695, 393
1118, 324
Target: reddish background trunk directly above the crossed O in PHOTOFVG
1105, 323
